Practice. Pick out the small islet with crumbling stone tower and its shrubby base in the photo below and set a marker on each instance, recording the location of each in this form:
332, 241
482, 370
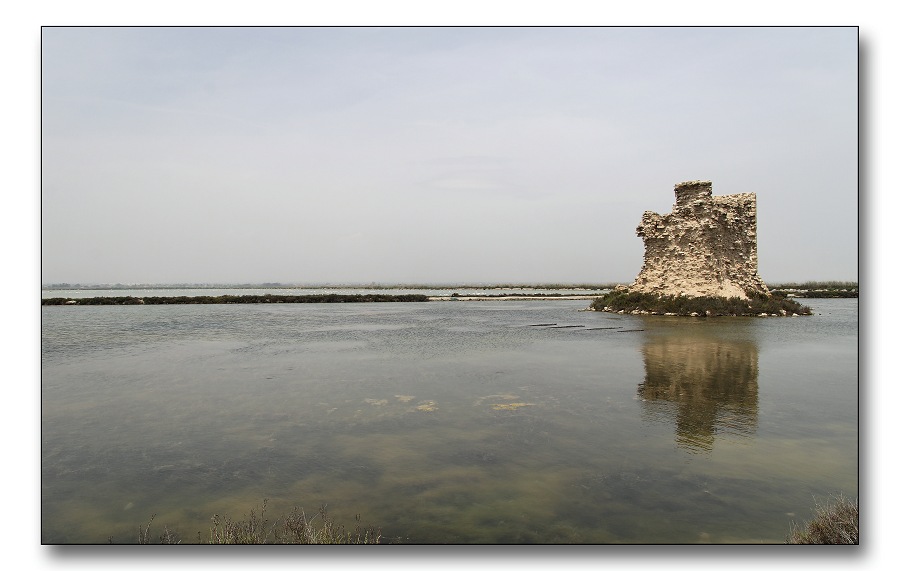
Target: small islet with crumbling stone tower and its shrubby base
700, 260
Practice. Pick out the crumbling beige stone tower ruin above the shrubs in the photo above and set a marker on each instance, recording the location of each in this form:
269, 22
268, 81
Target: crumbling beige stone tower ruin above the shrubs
705, 247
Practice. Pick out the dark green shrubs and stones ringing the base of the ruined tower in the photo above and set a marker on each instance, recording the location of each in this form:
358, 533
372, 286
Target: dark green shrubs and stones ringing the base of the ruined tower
709, 306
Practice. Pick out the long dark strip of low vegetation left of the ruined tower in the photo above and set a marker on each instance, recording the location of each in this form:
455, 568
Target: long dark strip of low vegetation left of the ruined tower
220, 299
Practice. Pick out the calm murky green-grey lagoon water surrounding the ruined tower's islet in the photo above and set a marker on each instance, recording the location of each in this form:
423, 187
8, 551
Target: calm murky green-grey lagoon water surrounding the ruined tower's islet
447, 422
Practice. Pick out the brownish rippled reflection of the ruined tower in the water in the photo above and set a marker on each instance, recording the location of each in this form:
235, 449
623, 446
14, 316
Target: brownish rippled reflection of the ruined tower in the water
705, 384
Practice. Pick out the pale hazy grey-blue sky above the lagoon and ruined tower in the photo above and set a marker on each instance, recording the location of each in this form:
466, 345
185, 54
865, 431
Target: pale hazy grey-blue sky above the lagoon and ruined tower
426, 155
